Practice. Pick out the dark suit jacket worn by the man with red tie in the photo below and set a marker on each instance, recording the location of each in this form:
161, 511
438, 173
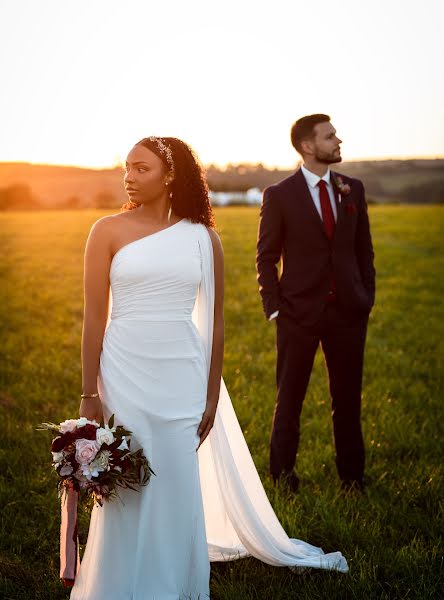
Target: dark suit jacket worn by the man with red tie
291, 229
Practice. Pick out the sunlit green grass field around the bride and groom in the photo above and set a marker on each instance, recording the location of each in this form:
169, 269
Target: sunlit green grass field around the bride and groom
392, 536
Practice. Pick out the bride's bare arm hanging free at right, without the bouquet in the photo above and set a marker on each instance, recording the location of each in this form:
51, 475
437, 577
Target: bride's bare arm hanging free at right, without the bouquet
217, 352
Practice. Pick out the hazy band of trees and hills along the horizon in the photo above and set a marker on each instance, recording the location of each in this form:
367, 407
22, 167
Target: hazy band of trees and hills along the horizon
408, 181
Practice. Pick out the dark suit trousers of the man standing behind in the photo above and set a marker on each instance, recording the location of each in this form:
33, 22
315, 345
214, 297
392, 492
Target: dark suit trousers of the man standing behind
342, 338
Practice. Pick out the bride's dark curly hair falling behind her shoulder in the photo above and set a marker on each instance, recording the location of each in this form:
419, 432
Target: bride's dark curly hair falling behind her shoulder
189, 188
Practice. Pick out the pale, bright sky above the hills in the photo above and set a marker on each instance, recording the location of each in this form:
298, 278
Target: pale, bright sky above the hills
82, 81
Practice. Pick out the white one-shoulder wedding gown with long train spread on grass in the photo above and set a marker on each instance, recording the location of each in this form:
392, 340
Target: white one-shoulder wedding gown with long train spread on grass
202, 506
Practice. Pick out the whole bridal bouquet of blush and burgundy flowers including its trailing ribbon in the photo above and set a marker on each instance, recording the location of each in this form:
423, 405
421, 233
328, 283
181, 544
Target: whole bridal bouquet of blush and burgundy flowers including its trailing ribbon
93, 460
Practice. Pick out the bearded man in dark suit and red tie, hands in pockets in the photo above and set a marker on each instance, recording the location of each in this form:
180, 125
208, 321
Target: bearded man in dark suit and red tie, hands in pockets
316, 221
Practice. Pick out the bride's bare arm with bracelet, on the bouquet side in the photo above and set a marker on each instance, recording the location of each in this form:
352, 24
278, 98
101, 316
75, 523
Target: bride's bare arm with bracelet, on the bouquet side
96, 299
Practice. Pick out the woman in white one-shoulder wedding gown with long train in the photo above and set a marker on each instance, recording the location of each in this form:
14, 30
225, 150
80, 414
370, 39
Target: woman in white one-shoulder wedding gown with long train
154, 359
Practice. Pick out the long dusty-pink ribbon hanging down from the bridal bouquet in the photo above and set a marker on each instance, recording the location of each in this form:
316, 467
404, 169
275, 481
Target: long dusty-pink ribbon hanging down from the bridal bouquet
69, 544
